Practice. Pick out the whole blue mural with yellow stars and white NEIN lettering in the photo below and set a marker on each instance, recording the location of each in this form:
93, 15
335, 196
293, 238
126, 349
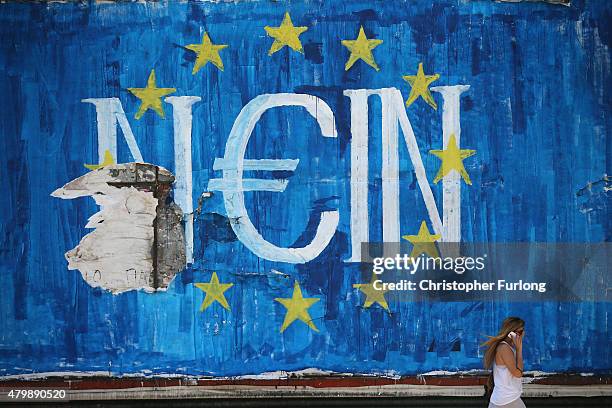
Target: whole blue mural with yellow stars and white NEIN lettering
190, 187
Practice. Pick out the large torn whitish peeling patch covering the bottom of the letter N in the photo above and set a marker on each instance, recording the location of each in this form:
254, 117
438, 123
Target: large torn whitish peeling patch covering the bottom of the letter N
138, 240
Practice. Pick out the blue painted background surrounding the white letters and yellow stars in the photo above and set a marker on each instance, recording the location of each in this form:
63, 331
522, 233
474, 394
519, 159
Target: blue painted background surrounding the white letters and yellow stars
538, 114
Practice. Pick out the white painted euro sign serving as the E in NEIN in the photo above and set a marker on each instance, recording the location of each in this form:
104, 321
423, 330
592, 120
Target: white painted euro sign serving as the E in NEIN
233, 185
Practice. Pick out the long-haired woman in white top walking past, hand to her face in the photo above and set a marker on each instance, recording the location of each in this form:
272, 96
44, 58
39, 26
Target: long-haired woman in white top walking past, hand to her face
505, 356
